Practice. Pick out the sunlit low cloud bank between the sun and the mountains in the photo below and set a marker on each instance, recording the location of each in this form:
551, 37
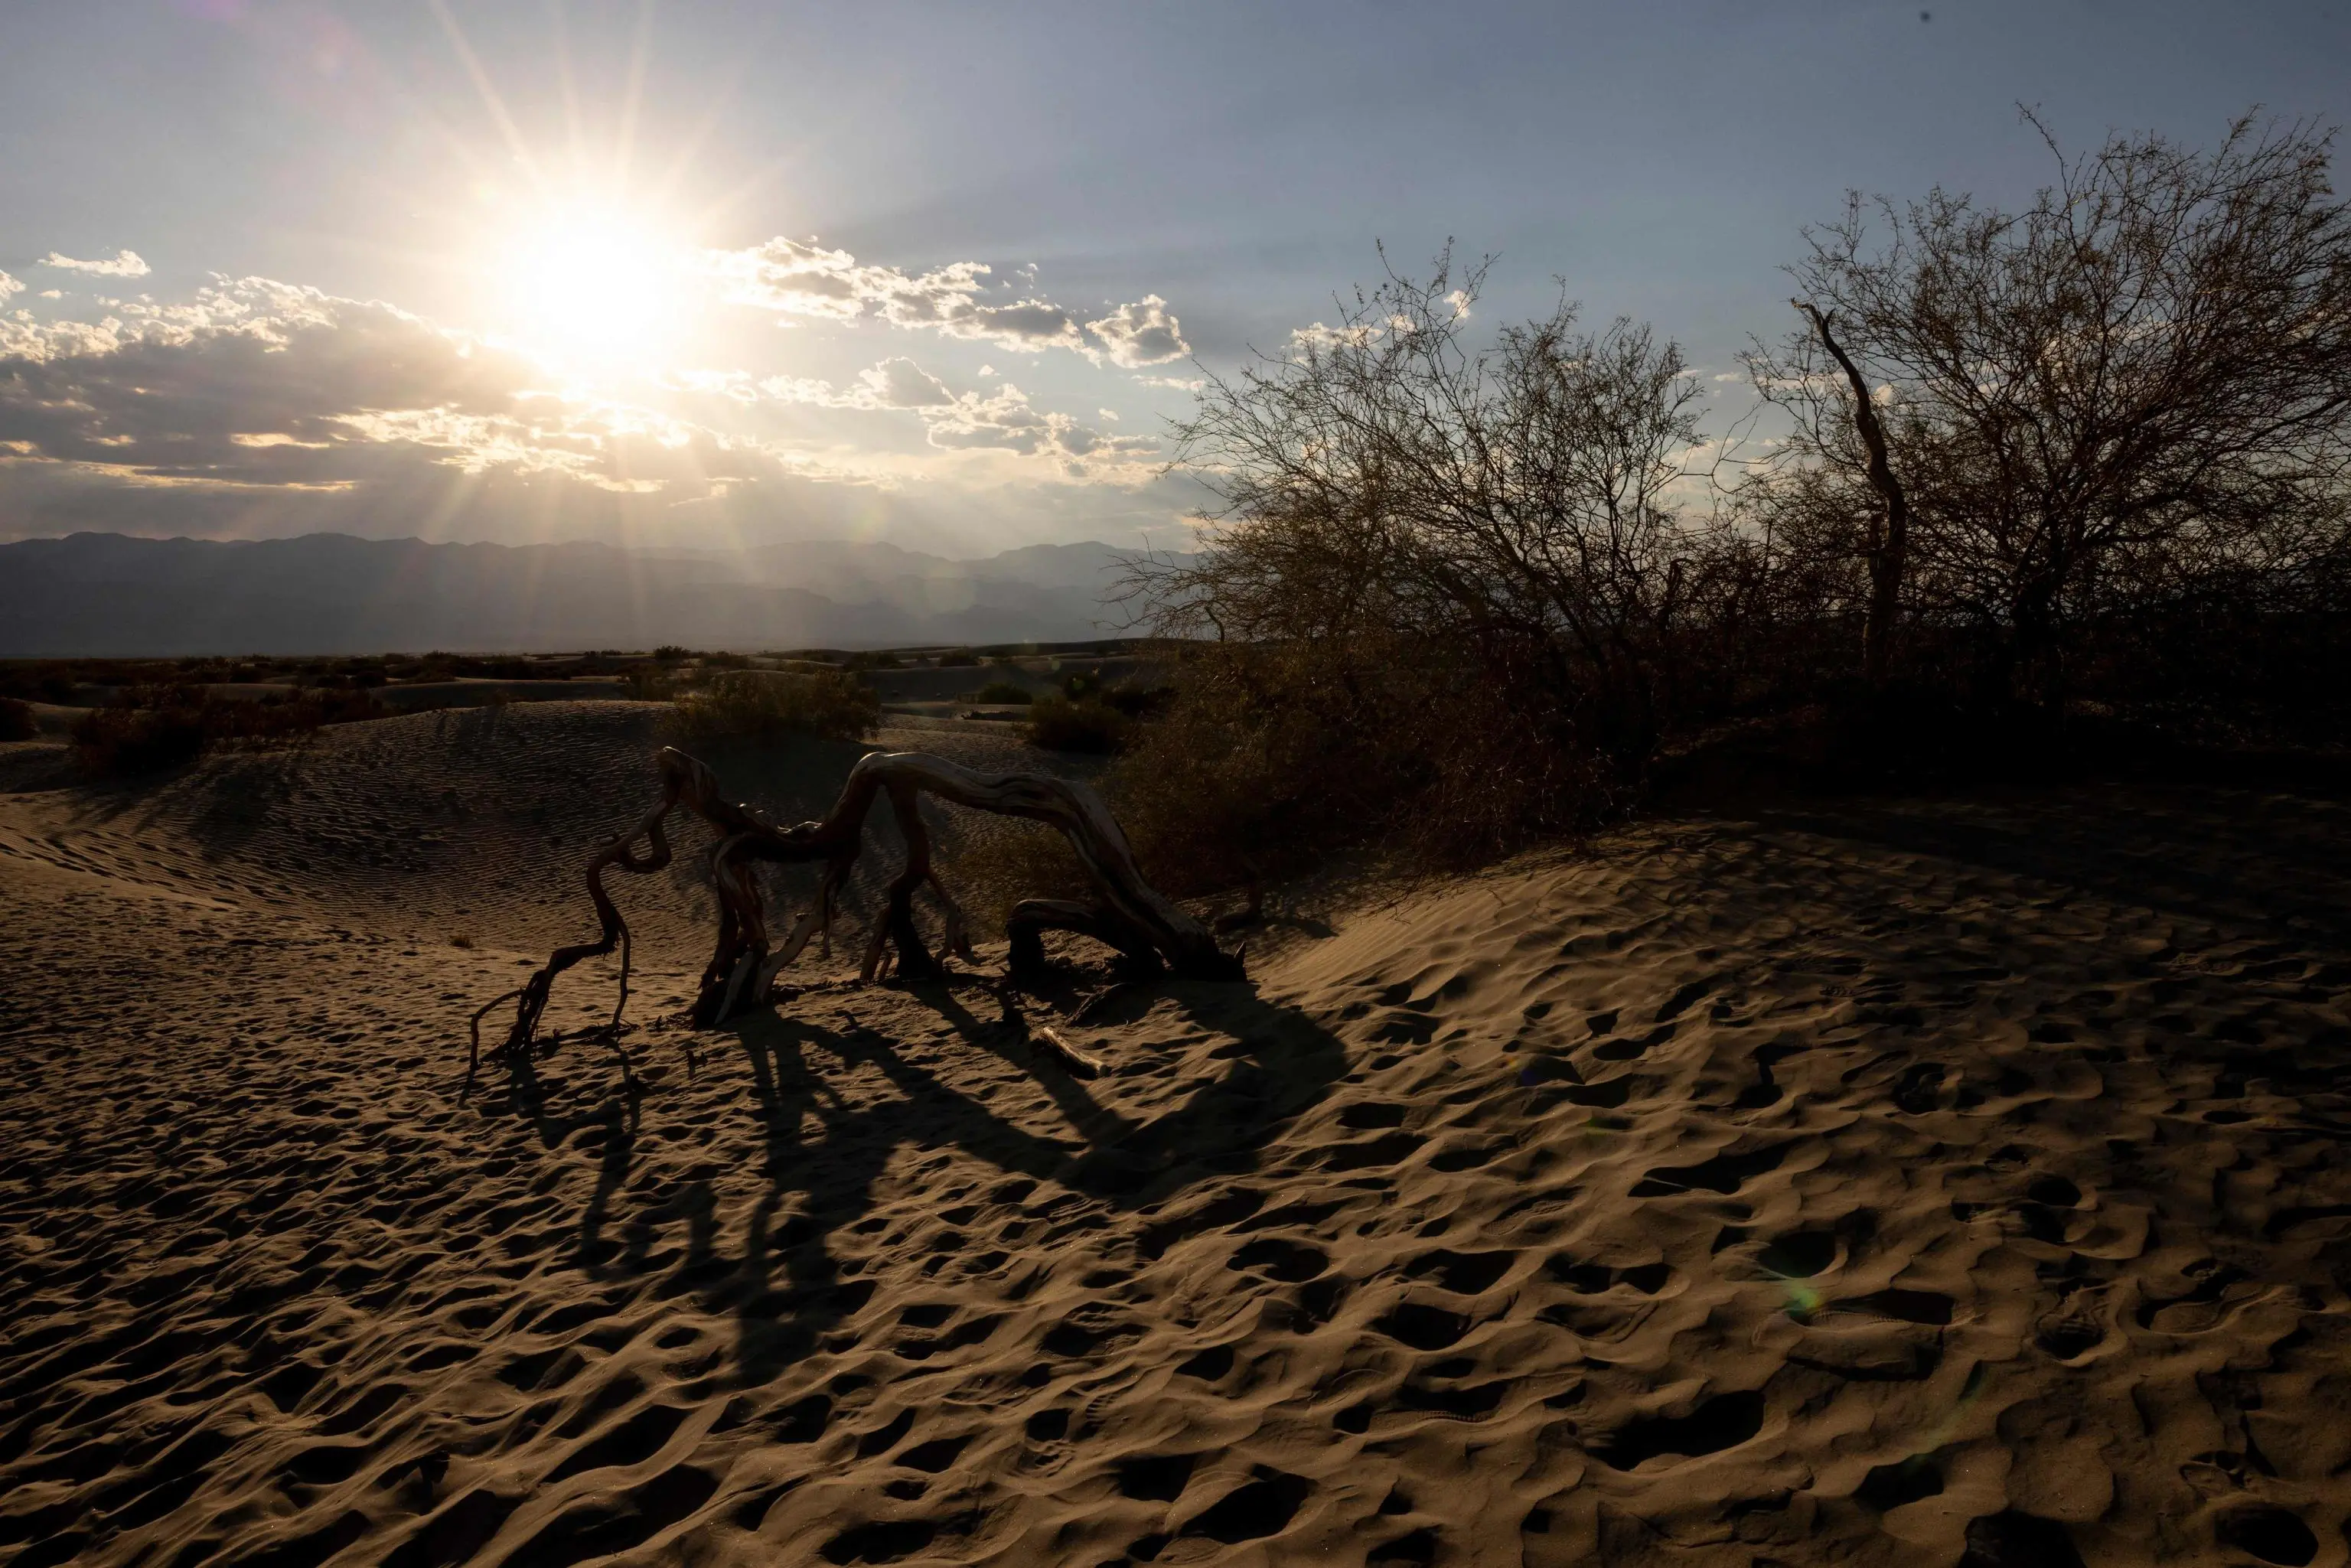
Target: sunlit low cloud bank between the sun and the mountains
260, 408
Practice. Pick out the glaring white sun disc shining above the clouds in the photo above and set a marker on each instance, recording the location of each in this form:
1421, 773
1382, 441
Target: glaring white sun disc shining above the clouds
591, 286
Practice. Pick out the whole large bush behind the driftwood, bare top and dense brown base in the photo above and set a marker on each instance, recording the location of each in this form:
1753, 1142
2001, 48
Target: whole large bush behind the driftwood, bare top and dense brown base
1447, 589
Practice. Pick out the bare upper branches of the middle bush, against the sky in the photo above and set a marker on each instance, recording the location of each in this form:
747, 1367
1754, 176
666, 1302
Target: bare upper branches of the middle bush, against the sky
1508, 507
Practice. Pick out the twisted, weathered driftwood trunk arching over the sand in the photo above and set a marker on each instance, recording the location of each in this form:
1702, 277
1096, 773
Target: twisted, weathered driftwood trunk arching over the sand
1125, 911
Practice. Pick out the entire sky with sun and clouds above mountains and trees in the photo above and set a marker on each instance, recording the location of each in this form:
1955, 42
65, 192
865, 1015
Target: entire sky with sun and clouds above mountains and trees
732, 274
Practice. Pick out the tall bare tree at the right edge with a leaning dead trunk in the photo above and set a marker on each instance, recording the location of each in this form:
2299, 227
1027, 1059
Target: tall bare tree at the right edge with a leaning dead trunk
2136, 382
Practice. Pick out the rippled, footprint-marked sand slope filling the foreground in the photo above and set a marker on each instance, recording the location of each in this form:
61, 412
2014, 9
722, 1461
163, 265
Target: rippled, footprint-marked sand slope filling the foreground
1889, 1186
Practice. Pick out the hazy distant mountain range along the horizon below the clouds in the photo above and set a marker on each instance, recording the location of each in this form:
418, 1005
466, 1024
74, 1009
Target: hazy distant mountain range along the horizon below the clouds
330, 594
